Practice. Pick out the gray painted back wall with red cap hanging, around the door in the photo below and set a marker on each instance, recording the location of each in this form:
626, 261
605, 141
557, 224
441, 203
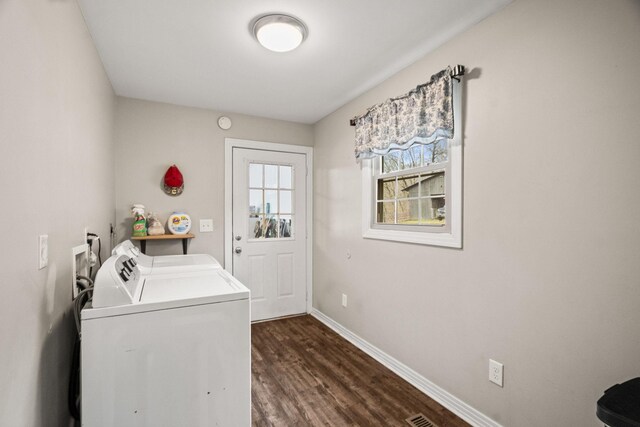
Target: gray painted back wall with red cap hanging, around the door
151, 136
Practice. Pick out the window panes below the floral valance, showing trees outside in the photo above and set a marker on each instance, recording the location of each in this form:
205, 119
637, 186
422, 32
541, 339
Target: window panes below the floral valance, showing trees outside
411, 186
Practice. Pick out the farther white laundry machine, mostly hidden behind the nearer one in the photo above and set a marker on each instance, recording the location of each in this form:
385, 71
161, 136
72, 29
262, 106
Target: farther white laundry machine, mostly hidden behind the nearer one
165, 263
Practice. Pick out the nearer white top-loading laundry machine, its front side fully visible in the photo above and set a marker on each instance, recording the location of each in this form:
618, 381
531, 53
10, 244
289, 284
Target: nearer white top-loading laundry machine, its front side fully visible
166, 350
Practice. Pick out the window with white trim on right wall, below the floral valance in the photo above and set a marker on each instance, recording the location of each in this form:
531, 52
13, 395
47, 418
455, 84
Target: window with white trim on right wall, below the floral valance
415, 195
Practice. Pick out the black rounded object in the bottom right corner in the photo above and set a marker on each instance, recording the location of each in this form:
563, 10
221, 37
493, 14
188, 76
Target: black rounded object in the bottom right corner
620, 405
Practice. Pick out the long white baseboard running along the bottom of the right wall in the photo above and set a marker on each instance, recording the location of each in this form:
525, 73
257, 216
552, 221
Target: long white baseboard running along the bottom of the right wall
449, 401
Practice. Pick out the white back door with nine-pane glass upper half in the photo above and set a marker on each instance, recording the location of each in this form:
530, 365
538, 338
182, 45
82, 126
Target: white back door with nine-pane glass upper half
269, 230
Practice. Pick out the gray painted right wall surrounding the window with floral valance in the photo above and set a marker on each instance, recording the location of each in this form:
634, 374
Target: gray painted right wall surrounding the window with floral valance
547, 281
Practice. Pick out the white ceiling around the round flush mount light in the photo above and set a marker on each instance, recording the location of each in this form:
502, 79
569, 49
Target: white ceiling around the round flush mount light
201, 53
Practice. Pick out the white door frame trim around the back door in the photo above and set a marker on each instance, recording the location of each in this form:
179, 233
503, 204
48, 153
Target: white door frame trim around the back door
229, 145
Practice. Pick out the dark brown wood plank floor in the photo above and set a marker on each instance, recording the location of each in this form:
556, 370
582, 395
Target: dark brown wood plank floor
304, 374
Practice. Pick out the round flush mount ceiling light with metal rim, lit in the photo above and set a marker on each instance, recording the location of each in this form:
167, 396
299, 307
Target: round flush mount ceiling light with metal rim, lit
279, 33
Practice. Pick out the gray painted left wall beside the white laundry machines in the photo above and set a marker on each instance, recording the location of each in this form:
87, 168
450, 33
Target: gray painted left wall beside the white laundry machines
56, 111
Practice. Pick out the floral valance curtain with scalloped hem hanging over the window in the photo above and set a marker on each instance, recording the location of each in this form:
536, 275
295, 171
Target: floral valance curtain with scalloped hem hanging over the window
422, 116
